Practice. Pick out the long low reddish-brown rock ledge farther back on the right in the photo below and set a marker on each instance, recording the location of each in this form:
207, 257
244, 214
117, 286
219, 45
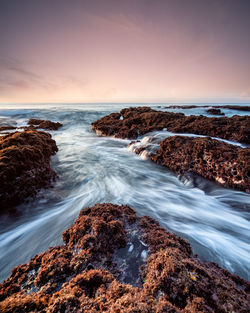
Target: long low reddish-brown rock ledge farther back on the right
132, 122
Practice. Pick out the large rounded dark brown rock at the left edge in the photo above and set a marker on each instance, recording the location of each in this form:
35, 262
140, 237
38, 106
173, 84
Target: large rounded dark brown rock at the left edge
24, 165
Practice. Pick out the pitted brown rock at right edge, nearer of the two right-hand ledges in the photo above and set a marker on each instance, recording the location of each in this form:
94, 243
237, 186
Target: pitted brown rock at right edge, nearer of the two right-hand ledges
212, 159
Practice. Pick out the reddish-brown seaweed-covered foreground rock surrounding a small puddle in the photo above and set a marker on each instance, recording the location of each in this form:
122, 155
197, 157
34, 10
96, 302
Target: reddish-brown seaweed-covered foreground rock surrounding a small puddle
82, 276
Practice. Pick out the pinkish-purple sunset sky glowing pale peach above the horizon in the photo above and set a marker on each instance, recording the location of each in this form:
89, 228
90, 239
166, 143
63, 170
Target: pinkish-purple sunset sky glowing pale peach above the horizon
124, 50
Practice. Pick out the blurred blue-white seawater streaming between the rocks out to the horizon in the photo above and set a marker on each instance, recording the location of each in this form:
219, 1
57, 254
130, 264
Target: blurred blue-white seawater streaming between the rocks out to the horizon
92, 169
